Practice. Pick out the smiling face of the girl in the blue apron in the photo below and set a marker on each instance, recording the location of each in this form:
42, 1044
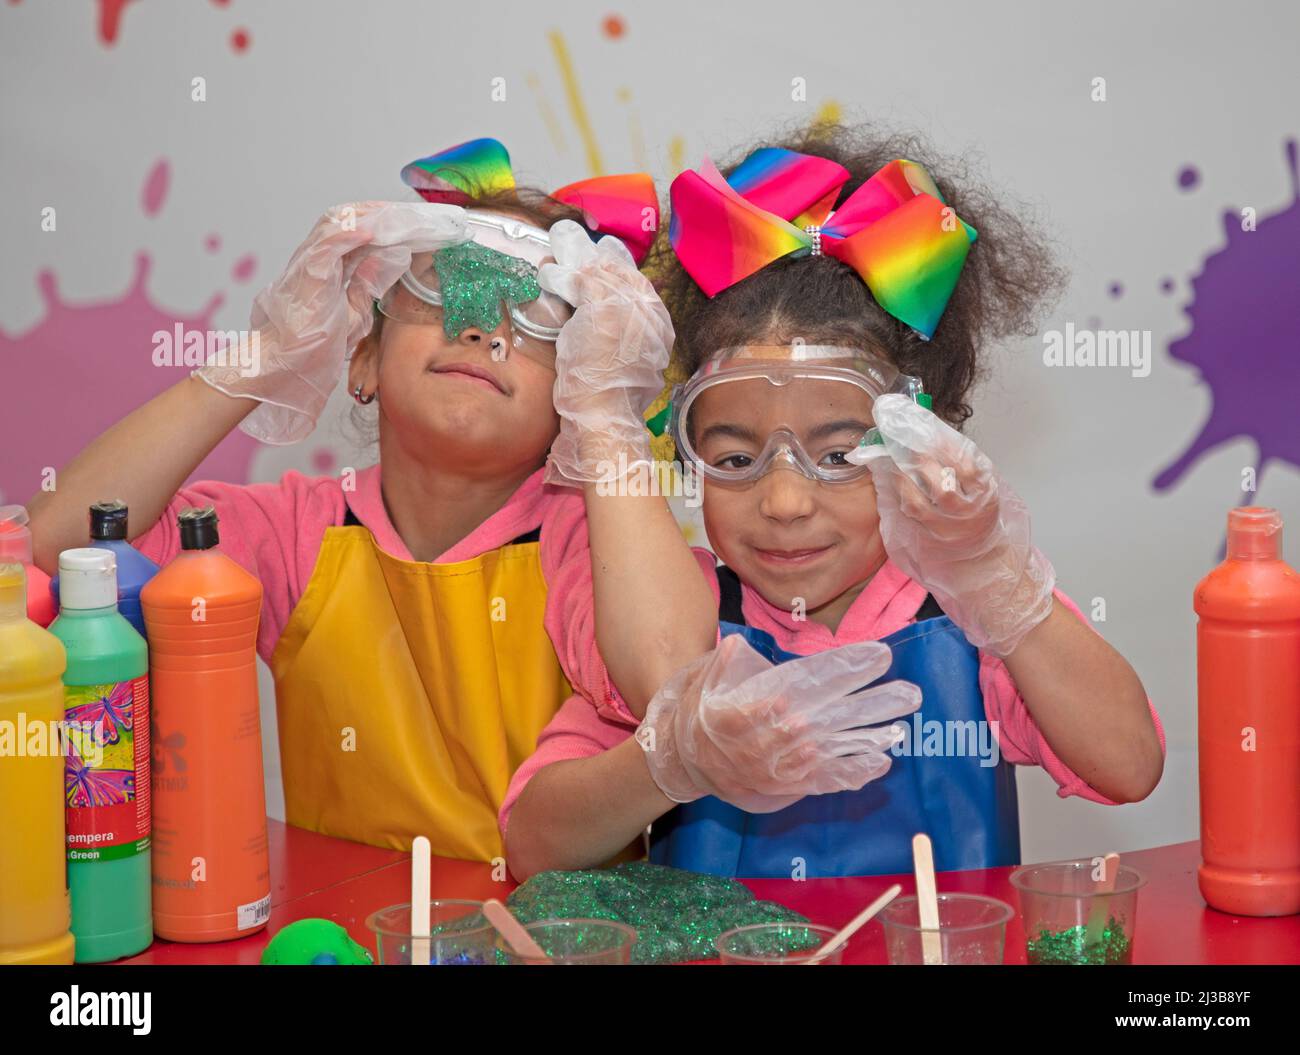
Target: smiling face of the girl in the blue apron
803, 544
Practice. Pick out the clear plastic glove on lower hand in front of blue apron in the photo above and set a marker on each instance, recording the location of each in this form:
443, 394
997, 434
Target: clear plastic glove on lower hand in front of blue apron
762, 736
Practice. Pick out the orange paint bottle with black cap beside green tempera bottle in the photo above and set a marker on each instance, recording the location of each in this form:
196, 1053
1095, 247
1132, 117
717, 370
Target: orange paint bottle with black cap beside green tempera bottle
211, 870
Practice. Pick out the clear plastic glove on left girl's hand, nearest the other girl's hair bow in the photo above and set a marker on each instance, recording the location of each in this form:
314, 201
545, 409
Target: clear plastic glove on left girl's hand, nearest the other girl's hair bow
609, 361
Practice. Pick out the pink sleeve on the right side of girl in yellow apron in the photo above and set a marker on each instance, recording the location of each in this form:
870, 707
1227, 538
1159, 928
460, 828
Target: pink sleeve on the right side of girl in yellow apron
571, 604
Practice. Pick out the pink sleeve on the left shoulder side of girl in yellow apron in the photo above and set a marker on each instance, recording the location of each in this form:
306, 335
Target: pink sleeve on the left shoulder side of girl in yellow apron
274, 531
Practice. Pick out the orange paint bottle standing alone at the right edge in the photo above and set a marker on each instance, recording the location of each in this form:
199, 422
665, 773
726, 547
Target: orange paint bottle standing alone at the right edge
1249, 707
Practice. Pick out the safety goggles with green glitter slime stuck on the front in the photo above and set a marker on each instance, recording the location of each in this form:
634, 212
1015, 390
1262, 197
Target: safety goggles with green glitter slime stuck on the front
419, 297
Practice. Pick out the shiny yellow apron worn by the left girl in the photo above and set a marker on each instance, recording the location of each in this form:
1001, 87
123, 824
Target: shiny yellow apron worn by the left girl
409, 693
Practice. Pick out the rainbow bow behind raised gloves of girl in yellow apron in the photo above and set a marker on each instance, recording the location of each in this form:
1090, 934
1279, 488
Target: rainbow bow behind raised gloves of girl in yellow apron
623, 206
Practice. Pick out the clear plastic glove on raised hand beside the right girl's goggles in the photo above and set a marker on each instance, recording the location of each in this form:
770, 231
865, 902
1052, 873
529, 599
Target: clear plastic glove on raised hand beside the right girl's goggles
951, 523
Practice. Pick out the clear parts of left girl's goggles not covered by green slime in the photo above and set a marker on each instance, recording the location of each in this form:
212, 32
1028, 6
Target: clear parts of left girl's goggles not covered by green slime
418, 296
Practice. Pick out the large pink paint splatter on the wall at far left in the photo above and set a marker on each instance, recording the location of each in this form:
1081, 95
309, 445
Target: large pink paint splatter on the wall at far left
85, 367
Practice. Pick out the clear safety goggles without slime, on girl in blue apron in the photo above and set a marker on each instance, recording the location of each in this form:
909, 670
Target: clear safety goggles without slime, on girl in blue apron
805, 407
